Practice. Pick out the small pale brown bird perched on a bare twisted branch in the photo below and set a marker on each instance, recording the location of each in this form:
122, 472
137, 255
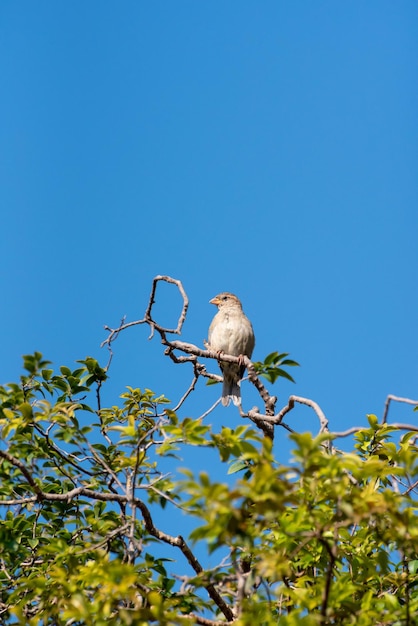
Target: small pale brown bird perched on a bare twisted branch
231, 333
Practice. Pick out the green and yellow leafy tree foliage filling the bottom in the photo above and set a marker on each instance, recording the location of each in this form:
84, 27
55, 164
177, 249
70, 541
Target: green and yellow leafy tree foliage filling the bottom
329, 538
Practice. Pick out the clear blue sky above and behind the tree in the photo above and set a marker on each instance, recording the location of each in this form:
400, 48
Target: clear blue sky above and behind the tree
265, 148
